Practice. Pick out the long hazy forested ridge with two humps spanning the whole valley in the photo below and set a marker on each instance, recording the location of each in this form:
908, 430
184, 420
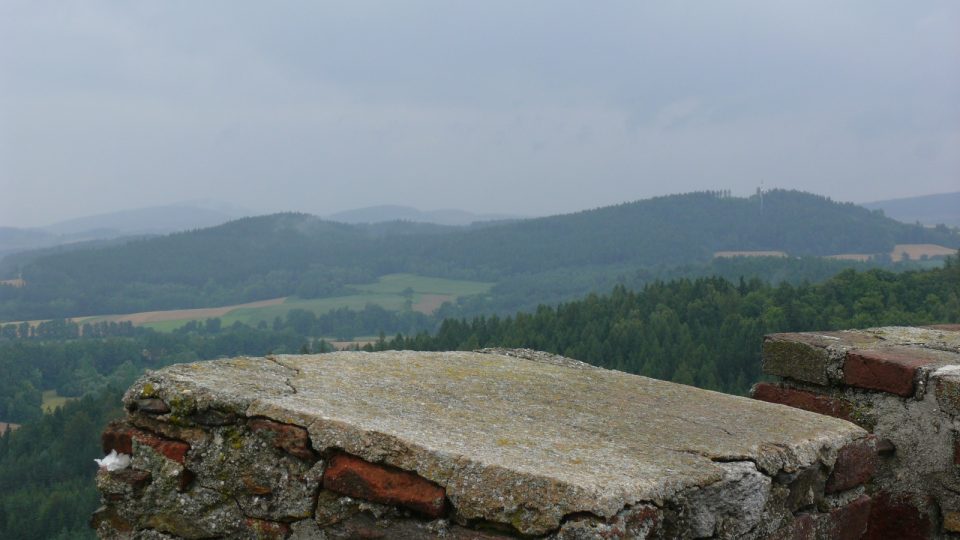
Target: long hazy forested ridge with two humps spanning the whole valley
298, 254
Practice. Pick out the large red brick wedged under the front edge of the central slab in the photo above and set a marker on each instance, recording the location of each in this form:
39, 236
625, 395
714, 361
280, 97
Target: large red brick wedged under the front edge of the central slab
353, 476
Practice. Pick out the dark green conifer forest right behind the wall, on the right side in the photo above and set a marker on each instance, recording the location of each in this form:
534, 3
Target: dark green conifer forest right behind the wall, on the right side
706, 332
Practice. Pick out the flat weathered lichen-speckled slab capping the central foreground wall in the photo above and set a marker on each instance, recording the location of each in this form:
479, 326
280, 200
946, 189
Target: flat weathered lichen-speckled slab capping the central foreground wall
515, 441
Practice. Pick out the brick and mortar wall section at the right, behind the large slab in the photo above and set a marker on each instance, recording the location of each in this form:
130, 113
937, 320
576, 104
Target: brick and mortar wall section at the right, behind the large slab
903, 386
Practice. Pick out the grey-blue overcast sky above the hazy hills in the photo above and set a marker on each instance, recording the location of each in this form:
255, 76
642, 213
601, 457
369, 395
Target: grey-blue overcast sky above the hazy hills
517, 107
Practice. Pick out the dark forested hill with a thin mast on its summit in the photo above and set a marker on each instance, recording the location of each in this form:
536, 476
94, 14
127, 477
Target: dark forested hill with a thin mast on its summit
678, 229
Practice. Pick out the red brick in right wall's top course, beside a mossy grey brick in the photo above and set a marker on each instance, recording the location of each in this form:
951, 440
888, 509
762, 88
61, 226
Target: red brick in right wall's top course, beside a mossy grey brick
888, 370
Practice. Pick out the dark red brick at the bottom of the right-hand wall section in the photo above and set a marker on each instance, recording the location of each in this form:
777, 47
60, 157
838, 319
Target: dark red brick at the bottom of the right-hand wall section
899, 516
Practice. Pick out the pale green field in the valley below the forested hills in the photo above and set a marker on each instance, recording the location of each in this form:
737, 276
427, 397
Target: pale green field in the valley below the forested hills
392, 292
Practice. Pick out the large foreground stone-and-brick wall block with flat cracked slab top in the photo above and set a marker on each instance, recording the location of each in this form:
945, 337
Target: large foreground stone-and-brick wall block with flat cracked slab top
459, 445
